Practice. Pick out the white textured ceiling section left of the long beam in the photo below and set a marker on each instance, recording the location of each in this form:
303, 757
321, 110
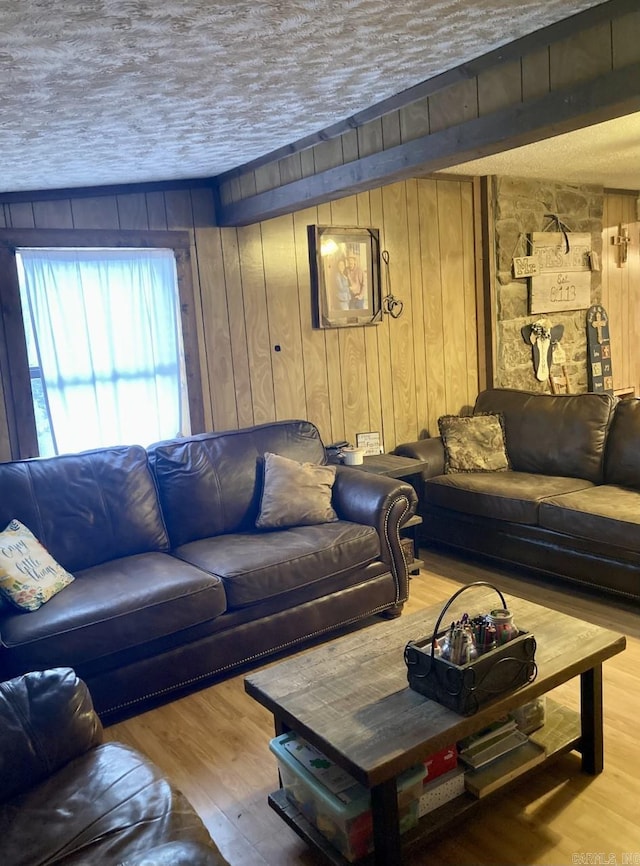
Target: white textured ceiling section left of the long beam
99, 92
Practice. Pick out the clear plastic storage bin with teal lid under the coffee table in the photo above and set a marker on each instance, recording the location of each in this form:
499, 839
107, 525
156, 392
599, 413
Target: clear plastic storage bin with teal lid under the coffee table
333, 801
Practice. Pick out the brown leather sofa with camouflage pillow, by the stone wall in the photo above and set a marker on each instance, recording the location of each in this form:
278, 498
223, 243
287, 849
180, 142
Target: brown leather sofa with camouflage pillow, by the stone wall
570, 504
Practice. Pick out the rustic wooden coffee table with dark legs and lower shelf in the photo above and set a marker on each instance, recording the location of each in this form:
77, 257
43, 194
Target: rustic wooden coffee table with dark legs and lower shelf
350, 699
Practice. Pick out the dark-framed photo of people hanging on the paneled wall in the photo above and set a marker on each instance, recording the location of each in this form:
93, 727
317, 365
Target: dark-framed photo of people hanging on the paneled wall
345, 276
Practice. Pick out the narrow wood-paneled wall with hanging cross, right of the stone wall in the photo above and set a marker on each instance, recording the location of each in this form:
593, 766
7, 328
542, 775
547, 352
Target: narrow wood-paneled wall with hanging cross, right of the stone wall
621, 289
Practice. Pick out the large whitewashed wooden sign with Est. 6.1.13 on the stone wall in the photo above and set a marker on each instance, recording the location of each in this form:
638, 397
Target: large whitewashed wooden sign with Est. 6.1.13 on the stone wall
564, 278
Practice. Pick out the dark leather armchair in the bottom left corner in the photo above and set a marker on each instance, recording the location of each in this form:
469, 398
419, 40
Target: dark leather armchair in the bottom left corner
67, 797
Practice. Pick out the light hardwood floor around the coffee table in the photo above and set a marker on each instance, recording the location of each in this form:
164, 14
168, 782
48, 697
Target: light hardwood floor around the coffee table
213, 744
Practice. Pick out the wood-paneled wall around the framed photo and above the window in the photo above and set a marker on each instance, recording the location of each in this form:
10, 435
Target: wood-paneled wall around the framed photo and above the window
261, 359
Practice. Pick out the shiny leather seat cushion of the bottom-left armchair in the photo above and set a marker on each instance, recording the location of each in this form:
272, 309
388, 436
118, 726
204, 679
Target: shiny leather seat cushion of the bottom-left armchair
103, 807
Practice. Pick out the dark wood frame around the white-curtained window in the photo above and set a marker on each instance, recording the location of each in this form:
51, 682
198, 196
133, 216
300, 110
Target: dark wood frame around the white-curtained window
14, 364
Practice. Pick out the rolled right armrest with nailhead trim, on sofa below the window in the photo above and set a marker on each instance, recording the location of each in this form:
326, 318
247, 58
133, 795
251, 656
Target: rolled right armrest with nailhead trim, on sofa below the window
379, 501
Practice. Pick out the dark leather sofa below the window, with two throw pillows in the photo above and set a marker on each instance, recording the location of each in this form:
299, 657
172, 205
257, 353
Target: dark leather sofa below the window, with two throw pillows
174, 585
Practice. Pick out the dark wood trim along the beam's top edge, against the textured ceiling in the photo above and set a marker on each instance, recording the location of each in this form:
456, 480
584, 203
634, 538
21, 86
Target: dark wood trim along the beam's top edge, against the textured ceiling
511, 51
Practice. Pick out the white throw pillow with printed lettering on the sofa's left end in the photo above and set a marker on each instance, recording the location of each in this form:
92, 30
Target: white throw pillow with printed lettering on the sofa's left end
29, 575
